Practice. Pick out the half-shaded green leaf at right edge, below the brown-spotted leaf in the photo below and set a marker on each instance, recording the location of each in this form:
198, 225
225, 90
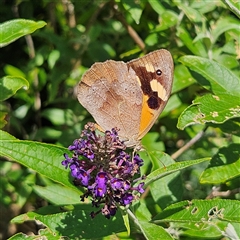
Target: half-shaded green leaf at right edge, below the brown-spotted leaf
225, 165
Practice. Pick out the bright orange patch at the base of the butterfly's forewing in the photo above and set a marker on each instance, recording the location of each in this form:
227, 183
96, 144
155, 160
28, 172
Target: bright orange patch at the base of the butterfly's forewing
146, 116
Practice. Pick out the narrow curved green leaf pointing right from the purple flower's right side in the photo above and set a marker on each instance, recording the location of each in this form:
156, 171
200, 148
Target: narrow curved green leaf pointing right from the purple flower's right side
166, 170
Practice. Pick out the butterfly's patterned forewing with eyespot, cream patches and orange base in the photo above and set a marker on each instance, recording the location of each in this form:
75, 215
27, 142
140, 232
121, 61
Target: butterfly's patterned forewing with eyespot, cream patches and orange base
155, 75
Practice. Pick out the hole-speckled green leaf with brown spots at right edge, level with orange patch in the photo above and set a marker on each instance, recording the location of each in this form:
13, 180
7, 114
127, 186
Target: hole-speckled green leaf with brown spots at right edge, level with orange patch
210, 108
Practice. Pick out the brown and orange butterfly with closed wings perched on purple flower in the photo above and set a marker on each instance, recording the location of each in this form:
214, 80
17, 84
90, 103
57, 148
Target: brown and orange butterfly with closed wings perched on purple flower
129, 96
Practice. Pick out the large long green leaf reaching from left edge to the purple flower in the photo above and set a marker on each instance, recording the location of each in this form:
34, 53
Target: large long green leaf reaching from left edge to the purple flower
43, 158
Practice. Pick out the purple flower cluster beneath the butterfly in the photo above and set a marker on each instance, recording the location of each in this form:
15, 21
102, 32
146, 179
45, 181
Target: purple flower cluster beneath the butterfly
101, 165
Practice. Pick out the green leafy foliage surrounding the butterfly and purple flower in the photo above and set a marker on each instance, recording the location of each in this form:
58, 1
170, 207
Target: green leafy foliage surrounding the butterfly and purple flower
40, 115
